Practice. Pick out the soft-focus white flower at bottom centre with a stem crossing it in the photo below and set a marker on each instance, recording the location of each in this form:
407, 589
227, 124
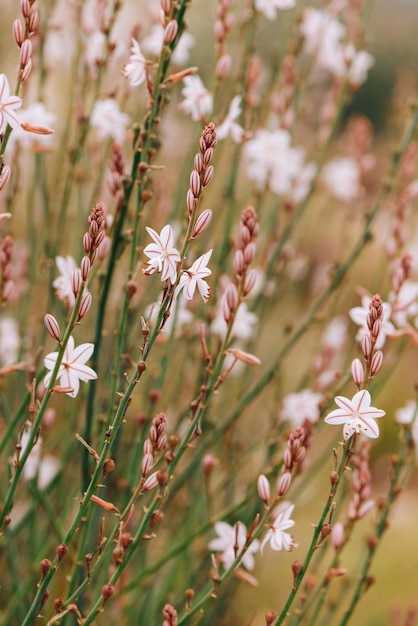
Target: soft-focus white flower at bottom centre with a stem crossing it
228, 537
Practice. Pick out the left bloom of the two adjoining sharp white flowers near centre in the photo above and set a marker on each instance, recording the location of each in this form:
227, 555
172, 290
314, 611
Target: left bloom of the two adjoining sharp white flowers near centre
162, 254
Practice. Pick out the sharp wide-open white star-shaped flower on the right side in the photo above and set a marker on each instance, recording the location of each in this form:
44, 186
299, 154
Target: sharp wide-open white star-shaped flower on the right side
357, 415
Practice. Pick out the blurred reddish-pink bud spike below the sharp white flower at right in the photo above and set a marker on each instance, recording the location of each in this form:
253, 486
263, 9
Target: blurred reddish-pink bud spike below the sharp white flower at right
360, 484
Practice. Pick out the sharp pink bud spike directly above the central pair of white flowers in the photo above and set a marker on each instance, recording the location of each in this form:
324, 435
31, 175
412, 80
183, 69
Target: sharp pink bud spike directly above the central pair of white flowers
201, 175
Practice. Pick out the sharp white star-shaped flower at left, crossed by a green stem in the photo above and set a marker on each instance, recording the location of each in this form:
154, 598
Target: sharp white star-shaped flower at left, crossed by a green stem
73, 366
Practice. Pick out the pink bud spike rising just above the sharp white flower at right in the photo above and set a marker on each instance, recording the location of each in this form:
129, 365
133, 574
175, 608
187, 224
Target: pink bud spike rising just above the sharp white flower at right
373, 358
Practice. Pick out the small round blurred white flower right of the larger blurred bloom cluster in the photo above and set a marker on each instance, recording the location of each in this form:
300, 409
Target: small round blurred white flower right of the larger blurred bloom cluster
342, 177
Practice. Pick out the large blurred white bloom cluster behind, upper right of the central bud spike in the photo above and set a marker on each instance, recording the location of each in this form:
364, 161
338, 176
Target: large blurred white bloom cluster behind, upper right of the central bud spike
273, 162
